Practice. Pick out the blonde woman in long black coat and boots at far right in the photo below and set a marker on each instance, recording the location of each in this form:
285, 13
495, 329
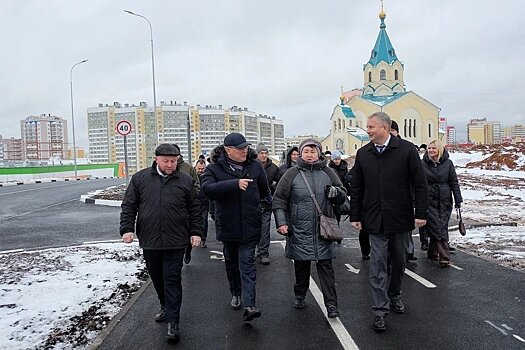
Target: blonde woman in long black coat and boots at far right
442, 185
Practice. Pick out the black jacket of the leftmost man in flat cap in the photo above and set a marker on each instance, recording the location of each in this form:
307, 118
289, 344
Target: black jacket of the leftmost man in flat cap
163, 211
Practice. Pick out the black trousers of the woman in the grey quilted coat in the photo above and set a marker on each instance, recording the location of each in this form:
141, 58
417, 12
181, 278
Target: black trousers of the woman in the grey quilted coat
326, 274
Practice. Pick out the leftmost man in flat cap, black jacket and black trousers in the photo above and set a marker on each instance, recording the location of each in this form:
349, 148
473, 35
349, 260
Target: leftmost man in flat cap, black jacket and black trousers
161, 208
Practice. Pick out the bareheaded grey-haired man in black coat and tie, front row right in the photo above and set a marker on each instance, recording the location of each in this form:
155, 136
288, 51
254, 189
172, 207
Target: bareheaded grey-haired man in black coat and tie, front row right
386, 173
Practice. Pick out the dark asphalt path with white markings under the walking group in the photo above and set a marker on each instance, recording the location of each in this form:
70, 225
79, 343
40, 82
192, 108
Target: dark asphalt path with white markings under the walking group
476, 304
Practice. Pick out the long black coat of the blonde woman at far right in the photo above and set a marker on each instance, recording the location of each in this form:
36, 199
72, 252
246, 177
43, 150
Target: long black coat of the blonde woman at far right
442, 185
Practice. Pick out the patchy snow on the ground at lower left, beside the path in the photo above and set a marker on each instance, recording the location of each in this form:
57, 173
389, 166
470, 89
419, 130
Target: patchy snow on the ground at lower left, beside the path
61, 298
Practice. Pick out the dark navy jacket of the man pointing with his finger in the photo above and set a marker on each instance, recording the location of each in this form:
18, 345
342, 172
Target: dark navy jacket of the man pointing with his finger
237, 212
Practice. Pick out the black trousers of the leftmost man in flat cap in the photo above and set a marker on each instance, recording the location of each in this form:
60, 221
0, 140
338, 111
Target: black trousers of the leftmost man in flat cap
165, 270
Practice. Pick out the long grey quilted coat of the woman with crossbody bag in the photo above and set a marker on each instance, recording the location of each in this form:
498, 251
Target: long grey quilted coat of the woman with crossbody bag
293, 206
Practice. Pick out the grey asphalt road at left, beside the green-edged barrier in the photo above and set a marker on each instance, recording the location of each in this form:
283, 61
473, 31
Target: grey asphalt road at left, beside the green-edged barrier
51, 215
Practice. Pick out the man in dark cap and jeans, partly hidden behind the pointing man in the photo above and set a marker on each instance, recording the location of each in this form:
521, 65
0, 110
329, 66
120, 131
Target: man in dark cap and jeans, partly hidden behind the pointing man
272, 174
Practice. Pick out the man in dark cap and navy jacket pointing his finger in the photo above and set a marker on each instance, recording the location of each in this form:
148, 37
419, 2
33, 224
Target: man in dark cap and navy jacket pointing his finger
236, 182
